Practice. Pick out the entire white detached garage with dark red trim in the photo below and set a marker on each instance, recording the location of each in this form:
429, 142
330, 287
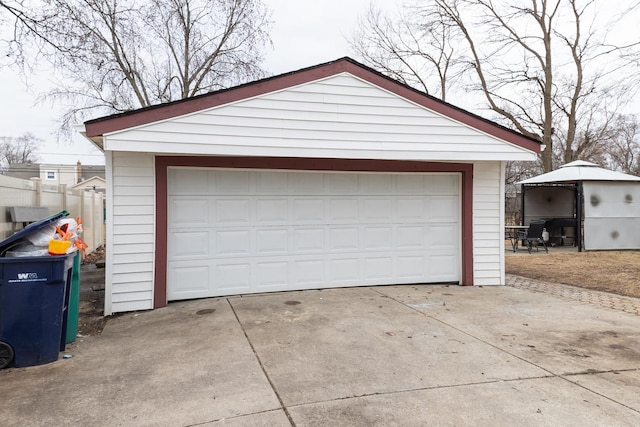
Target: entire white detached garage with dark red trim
330, 176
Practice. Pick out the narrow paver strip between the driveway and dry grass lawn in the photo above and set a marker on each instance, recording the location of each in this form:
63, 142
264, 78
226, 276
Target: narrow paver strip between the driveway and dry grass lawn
598, 298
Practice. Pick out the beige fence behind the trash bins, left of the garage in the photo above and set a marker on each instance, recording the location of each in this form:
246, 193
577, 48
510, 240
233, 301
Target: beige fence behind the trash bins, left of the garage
87, 205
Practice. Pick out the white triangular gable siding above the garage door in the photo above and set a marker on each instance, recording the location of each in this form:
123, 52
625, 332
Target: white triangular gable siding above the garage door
338, 117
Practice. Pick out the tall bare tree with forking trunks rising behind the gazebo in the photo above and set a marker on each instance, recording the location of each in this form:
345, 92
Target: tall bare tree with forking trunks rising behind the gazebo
563, 64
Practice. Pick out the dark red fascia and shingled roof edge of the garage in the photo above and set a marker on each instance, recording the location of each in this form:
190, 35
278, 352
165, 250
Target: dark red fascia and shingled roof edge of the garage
97, 128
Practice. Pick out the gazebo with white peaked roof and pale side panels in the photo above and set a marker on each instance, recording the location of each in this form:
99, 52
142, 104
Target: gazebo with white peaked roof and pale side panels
591, 207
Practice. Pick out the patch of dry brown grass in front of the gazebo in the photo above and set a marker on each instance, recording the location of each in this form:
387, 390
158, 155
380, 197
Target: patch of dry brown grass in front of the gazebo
617, 272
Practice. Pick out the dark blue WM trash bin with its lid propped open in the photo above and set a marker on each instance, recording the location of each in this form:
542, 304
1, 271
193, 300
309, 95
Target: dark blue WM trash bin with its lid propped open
33, 302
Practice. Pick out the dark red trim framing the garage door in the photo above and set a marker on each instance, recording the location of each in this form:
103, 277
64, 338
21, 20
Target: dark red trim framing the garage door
164, 162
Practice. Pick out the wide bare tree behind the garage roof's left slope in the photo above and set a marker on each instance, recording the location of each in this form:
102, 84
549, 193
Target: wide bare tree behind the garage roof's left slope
113, 56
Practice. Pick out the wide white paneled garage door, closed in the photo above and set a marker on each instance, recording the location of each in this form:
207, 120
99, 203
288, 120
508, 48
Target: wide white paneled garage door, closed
246, 231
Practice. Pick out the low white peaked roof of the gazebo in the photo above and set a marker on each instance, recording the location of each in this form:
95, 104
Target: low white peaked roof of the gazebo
579, 170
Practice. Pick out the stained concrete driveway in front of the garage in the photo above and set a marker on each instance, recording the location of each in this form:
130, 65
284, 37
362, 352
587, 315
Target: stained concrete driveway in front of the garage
394, 355
